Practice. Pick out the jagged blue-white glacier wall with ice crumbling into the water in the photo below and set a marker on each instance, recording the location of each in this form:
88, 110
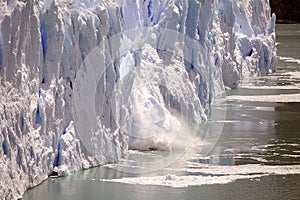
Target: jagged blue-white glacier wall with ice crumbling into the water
83, 81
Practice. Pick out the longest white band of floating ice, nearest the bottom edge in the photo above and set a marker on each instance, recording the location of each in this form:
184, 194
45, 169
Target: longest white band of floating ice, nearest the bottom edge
209, 175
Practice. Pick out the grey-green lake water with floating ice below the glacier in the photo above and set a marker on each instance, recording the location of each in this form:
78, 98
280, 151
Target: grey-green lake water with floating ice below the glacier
257, 155
